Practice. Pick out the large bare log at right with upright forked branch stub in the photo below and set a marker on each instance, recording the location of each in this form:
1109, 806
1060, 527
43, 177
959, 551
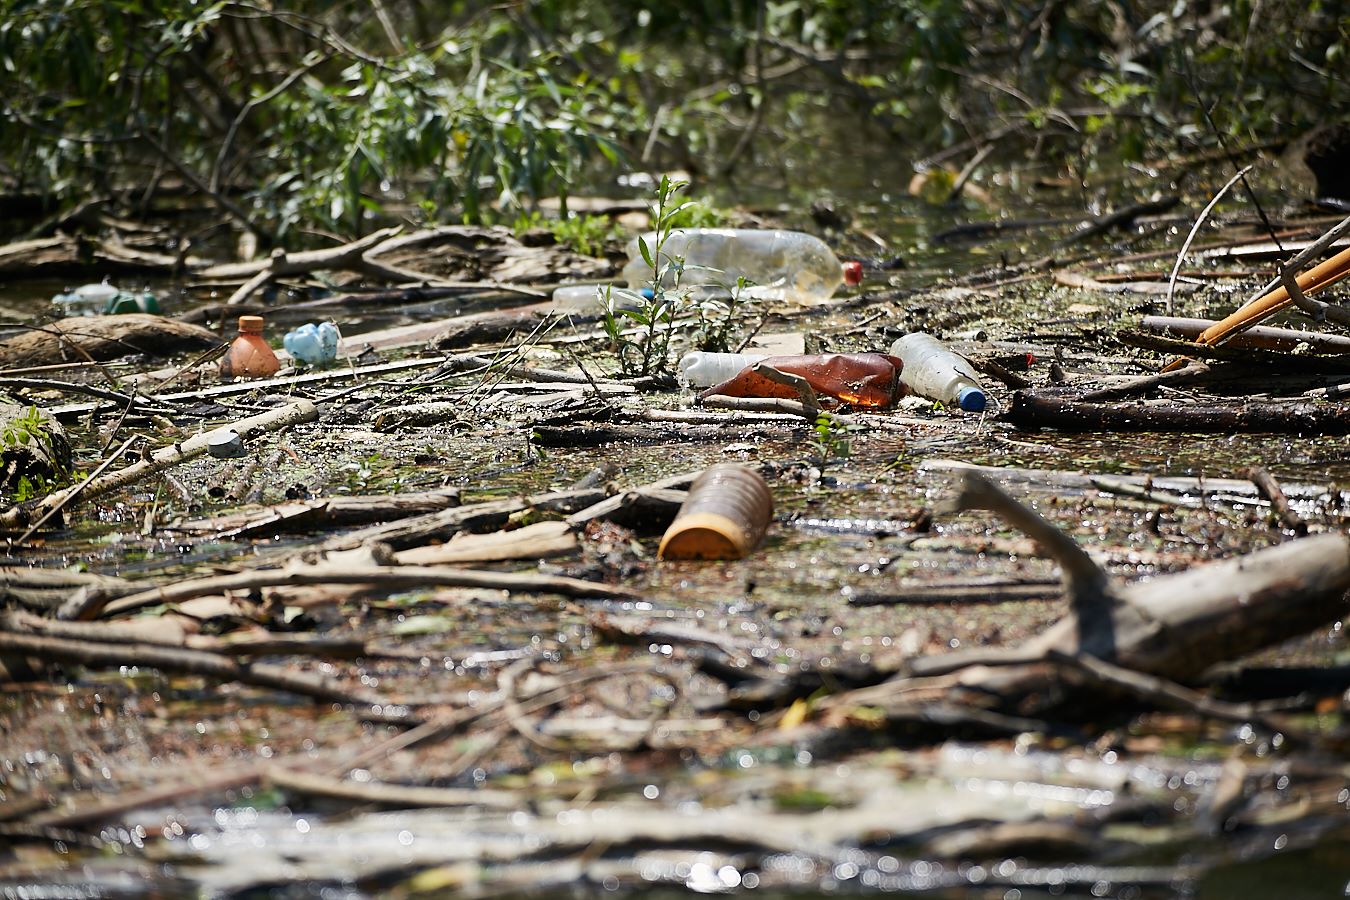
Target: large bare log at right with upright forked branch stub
1166, 629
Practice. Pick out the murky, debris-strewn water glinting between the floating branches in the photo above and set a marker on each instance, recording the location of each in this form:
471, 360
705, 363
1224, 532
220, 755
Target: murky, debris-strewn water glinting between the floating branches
713, 802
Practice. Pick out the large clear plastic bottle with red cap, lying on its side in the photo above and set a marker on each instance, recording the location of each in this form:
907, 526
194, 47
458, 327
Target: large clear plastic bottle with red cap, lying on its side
781, 265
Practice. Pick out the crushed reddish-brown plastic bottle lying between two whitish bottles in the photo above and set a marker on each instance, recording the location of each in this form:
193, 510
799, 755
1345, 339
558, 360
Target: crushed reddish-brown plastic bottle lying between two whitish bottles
862, 380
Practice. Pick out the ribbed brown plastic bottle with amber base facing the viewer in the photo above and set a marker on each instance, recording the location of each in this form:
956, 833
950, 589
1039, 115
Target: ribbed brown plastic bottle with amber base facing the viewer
723, 519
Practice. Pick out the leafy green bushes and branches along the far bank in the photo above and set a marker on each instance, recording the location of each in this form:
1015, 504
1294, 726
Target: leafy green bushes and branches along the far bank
331, 115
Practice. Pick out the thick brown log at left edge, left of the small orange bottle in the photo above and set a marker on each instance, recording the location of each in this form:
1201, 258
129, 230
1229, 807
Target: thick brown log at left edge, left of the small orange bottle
101, 338
